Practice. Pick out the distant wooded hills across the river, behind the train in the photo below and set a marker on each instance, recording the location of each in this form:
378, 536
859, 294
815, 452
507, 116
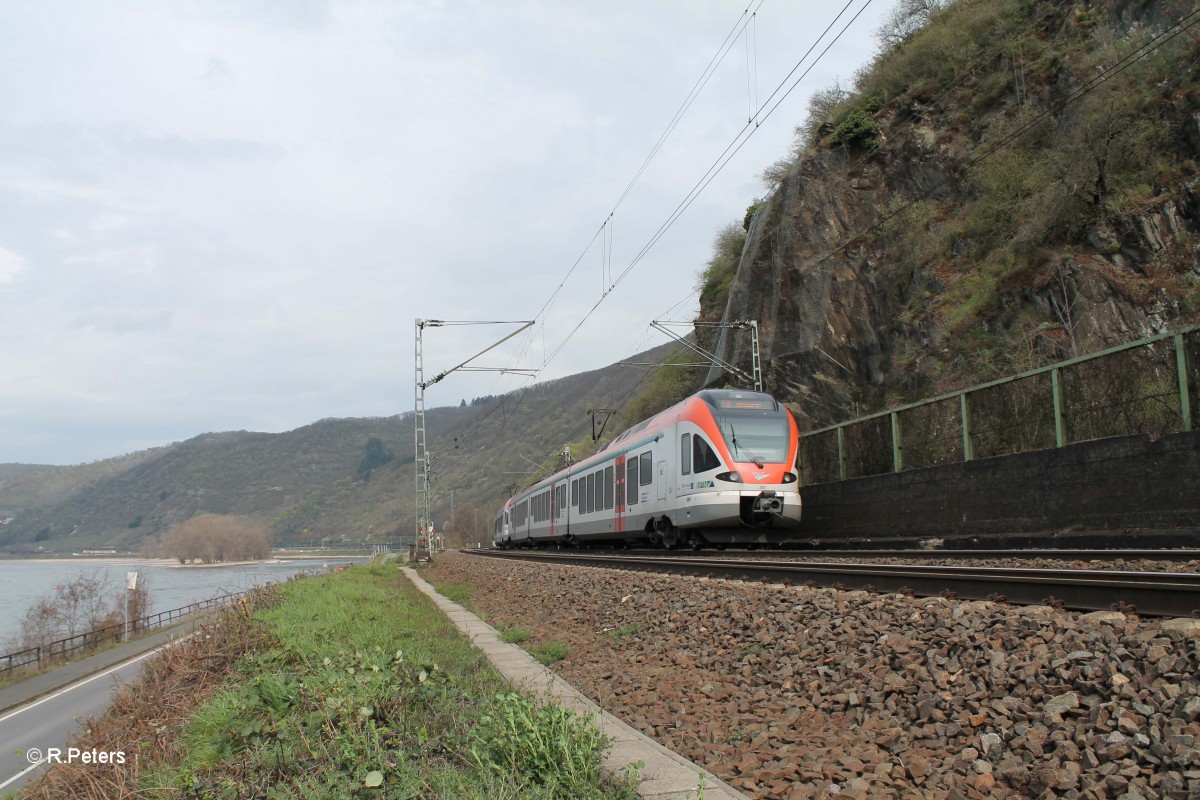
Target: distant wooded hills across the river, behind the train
305, 482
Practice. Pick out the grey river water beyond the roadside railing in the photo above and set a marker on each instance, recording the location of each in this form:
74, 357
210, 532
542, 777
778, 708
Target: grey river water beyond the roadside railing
171, 586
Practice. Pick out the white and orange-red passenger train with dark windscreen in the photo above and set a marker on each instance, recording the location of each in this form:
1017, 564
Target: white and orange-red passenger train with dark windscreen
718, 468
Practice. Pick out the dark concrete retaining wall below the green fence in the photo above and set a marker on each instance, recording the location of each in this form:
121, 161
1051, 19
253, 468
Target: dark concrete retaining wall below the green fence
1145, 489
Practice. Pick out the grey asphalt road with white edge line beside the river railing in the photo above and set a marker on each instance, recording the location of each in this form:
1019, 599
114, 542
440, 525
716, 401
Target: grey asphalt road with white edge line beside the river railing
47, 723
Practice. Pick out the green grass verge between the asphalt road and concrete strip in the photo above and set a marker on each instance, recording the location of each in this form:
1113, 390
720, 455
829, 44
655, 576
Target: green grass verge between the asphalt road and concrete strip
363, 689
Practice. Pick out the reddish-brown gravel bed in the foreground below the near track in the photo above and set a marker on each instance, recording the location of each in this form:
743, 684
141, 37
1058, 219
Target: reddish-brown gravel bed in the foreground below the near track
802, 694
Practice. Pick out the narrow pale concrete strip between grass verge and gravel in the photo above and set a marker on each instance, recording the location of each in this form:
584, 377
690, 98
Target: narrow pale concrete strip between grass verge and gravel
665, 775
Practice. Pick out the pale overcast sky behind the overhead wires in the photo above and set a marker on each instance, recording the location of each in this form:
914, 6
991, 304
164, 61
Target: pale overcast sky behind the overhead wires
227, 215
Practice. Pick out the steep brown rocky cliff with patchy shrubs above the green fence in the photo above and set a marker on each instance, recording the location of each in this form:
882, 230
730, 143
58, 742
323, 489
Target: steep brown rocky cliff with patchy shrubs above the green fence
913, 256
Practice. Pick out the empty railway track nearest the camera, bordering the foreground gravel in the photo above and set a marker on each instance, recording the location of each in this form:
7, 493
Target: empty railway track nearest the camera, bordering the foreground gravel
1156, 594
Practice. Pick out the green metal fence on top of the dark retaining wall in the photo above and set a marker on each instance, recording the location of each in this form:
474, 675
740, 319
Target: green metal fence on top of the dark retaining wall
1145, 387
